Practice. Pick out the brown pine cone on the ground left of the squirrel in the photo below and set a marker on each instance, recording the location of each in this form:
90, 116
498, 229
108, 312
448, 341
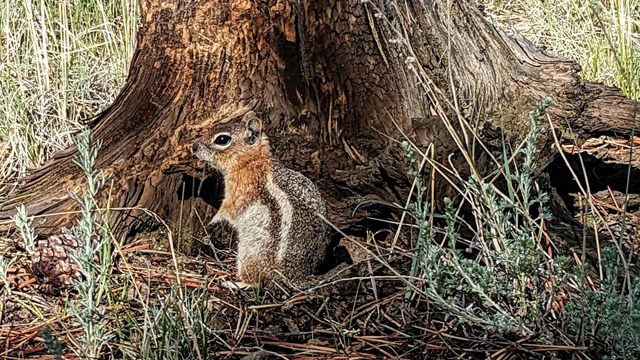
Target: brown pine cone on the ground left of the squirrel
52, 264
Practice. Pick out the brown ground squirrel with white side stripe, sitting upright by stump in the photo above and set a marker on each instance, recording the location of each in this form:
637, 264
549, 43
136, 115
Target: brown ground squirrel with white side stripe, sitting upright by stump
277, 212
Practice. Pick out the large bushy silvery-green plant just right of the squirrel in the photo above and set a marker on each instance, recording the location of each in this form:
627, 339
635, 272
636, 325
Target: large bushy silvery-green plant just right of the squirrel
503, 281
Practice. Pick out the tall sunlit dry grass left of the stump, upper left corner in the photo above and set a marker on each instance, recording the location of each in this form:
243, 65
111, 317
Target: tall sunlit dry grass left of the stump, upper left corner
61, 62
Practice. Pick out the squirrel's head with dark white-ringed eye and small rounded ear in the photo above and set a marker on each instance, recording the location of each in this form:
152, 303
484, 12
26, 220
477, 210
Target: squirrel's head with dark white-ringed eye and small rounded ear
233, 143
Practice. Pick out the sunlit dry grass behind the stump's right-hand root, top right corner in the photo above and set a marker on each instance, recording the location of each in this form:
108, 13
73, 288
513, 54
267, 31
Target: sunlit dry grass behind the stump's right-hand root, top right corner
602, 36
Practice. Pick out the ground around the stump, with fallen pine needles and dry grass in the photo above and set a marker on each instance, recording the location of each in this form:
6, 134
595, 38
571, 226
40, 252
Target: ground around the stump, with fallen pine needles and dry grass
148, 300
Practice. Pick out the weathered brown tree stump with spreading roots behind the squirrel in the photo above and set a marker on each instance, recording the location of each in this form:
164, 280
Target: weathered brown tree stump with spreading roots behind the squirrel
333, 83
